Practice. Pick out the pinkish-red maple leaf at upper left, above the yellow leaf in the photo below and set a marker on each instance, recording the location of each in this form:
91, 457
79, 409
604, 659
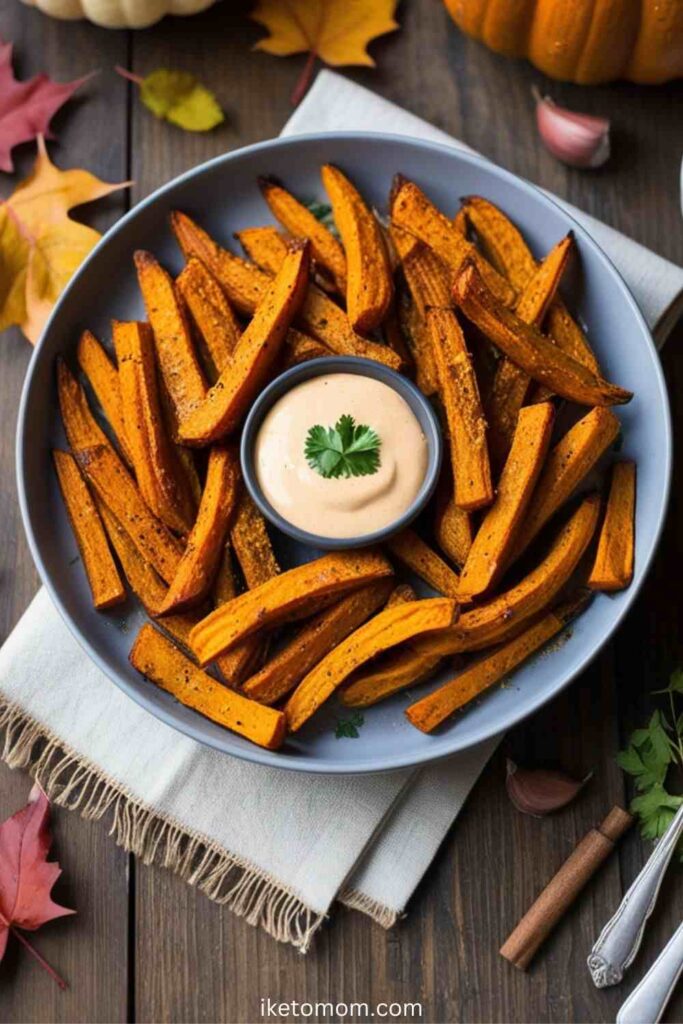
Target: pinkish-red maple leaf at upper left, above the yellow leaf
27, 108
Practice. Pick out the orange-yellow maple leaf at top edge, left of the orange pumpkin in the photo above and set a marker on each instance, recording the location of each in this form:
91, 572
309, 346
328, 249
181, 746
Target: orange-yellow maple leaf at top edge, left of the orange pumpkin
336, 31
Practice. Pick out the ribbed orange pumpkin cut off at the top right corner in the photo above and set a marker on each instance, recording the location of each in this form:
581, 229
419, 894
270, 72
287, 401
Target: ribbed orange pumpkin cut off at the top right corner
584, 41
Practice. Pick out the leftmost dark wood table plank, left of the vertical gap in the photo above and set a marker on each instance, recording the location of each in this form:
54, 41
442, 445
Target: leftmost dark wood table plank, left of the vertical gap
91, 951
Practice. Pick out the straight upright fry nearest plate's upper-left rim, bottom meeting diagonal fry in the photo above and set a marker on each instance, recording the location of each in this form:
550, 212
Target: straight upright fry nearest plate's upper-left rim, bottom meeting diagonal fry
178, 360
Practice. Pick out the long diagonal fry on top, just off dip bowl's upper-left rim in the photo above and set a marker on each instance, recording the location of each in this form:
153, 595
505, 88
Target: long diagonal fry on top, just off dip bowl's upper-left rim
227, 403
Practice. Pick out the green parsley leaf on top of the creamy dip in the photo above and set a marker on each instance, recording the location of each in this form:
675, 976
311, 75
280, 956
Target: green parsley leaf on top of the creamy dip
346, 450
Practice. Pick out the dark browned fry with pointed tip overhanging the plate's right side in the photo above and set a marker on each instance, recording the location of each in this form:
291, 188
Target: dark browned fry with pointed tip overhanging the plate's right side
525, 345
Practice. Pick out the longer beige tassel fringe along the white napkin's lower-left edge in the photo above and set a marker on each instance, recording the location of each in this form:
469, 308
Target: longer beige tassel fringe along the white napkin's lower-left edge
79, 786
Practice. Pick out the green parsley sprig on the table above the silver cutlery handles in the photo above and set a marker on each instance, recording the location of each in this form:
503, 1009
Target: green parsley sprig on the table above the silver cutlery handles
649, 758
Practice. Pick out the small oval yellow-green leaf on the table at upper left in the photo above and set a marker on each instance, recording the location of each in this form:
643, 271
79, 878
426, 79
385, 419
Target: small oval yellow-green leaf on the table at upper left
179, 98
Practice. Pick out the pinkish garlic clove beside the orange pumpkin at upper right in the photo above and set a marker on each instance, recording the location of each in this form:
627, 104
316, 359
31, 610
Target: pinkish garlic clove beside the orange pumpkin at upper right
578, 140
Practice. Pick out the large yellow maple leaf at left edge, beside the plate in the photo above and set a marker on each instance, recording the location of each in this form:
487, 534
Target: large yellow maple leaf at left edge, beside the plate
40, 245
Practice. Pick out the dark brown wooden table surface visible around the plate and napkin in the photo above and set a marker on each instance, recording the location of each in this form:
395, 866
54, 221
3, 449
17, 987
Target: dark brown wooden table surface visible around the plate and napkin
147, 948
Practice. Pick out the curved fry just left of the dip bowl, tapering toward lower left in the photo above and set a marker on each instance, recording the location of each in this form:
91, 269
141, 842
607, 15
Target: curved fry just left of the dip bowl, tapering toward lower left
206, 543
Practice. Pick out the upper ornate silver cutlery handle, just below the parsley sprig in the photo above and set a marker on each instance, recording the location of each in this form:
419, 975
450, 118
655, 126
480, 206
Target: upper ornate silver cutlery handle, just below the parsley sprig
620, 941
